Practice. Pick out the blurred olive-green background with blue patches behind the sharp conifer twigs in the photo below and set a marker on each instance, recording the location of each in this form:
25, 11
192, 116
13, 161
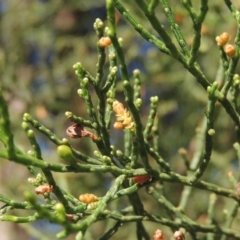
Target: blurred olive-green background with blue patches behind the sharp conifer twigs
40, 40
